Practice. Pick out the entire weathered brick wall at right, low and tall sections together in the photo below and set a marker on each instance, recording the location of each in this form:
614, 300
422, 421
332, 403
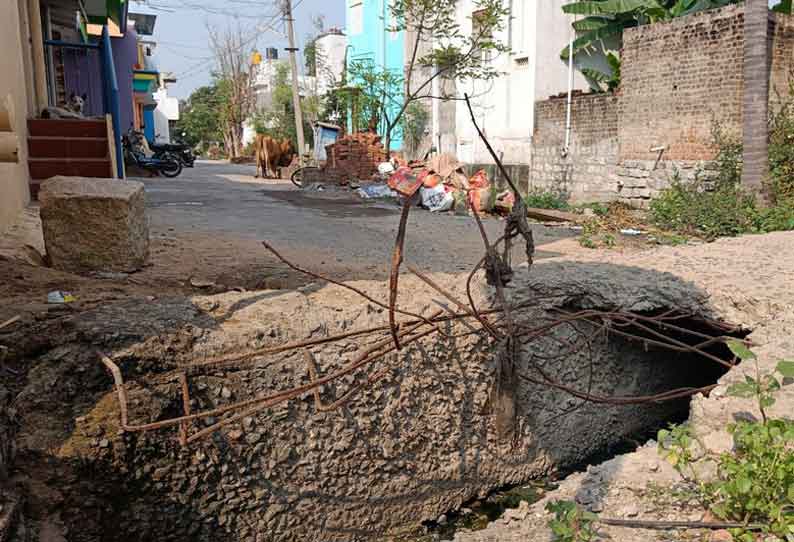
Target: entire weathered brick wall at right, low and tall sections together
677, 79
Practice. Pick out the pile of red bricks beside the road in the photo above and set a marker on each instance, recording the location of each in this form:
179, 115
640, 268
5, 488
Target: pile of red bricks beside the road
353, 157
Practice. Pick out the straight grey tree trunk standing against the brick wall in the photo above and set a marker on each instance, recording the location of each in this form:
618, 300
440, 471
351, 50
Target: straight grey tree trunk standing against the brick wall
755, 127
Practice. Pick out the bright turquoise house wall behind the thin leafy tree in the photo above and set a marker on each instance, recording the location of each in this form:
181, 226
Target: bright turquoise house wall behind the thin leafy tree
369, 39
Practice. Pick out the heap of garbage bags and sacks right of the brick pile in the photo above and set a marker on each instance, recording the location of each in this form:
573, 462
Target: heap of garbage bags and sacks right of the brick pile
443, 186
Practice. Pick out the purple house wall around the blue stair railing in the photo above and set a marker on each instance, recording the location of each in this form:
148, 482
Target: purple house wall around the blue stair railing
83, 75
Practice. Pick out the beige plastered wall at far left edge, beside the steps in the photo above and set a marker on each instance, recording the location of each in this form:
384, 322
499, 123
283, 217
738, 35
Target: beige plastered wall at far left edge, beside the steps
14, 192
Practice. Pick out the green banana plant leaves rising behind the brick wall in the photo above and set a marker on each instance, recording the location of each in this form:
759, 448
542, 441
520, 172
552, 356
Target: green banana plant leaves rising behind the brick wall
600, 29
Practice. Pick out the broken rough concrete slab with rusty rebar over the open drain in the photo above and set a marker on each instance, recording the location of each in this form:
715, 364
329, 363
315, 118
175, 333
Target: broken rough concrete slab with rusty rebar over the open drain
418, 444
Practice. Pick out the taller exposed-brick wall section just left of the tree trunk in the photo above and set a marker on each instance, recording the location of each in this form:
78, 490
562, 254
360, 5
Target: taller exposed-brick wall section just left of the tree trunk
677, 78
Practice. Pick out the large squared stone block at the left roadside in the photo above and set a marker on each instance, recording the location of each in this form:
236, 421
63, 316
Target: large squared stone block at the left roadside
94, 224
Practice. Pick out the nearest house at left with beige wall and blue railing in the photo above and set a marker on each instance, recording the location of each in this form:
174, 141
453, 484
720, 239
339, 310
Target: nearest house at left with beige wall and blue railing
53, 49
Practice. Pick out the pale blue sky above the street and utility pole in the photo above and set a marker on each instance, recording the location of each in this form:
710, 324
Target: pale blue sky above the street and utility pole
181, 31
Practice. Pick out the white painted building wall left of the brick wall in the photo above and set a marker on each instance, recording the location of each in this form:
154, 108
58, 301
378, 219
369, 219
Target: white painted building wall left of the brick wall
535, 34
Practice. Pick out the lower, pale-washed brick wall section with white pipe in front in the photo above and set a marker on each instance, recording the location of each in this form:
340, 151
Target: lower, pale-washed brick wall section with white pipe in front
587, 172
